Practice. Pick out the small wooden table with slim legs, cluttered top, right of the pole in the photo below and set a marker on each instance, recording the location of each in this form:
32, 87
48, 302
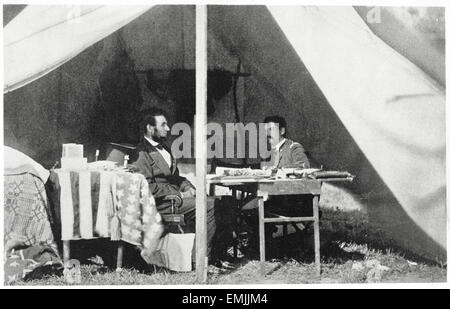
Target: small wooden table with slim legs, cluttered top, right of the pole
264, 187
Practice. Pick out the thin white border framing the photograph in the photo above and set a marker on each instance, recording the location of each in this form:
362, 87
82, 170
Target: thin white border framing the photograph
422, 3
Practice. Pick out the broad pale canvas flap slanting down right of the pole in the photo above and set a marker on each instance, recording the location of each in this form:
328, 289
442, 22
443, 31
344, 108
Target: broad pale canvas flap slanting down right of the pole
394, 112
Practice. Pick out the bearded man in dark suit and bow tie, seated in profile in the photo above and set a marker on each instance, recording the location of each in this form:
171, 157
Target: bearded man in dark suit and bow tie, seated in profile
155, 161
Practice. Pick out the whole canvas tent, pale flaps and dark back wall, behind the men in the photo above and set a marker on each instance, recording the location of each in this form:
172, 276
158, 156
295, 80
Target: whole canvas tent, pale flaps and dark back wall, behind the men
354, 102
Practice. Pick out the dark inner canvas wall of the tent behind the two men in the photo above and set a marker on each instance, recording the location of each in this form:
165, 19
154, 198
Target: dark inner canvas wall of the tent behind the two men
253, 71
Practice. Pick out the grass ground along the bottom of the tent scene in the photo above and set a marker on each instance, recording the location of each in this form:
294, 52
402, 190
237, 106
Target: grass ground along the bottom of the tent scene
349, 244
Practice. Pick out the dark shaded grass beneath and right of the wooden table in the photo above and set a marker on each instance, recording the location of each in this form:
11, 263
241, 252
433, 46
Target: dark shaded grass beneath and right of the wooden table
338, 230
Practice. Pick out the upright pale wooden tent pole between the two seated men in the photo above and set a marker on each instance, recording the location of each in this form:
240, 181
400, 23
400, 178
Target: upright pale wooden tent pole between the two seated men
201, 66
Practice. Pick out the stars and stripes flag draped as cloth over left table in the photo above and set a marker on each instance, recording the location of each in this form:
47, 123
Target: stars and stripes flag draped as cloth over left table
88, 200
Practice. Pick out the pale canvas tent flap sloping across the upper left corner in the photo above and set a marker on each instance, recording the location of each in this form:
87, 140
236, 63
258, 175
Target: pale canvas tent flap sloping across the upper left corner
41, 38
